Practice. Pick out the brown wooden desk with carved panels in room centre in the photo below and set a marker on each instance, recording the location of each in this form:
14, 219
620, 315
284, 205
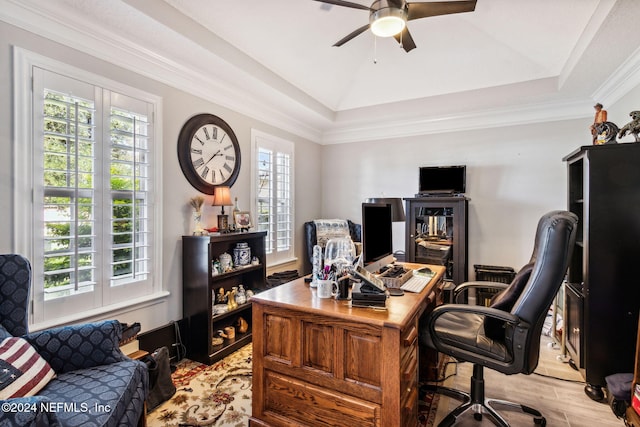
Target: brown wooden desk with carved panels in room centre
319, 362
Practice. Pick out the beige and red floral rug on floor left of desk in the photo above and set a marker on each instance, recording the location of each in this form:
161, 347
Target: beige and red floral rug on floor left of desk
216, 395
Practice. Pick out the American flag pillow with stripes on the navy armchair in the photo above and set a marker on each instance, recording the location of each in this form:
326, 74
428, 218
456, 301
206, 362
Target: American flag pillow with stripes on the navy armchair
22, 371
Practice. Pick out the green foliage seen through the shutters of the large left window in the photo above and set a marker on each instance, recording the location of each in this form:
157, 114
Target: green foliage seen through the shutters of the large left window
69, 166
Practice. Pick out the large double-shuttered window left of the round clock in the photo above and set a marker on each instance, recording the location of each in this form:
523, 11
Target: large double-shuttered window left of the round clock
93, 242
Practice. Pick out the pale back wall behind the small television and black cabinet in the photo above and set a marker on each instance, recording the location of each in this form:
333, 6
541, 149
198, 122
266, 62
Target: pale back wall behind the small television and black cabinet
514, 175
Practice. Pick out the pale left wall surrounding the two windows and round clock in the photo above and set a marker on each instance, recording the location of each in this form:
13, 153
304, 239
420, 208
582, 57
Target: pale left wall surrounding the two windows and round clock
178, 107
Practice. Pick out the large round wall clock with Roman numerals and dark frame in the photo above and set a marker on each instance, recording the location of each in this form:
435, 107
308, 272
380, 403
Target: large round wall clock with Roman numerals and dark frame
208, 152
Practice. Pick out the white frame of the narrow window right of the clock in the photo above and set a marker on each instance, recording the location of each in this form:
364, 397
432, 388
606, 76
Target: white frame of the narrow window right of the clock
276, 144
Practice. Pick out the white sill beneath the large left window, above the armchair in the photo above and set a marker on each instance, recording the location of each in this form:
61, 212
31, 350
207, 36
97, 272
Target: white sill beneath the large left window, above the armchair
101, 313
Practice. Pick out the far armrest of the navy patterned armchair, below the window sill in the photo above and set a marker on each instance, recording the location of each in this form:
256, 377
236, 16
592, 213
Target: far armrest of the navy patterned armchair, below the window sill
68, 348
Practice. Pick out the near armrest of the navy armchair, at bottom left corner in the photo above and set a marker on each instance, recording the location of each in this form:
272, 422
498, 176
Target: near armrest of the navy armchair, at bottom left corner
28, 411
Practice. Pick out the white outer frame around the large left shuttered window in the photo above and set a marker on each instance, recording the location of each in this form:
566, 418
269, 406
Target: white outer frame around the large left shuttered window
26, 220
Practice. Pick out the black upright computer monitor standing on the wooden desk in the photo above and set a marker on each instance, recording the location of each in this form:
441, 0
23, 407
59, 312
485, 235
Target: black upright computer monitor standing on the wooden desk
377, 242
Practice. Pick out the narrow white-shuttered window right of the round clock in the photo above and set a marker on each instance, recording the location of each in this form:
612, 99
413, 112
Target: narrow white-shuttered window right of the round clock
273, 188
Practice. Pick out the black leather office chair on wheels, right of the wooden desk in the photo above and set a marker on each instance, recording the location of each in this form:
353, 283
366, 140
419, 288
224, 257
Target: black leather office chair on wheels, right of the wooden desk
505, 336
